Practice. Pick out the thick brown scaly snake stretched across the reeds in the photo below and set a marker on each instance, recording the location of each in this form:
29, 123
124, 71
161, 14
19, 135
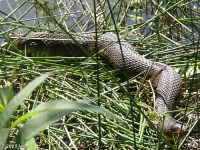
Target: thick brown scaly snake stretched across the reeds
122, 56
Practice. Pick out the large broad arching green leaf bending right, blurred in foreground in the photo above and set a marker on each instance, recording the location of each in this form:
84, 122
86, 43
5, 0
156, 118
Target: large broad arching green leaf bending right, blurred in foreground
50, 112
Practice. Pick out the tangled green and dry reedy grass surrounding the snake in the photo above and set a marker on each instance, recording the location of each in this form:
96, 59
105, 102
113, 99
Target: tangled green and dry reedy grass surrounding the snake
166, 32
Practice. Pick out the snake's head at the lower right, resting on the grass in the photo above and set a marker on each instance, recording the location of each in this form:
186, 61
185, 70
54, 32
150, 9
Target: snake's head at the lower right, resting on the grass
173, 130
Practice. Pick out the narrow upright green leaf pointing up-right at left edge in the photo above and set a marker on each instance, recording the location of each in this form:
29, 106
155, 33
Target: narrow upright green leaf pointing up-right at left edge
15, 102
